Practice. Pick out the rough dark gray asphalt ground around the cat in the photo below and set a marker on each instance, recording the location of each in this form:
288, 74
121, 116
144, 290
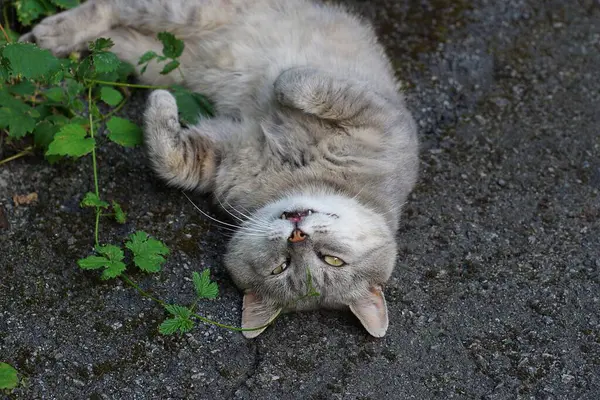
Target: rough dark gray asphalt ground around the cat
497, 290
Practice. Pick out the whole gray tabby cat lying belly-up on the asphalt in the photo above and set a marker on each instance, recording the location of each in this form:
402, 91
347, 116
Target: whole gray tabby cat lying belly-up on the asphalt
313, 147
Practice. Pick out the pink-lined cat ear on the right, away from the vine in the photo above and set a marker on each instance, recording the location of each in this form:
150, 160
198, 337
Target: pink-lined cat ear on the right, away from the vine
371, 310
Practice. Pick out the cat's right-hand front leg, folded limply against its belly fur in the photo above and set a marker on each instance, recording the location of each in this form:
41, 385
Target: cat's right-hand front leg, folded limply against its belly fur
335, 99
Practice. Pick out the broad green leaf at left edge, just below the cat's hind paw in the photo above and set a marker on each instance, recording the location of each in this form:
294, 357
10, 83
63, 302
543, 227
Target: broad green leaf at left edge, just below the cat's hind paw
30, 61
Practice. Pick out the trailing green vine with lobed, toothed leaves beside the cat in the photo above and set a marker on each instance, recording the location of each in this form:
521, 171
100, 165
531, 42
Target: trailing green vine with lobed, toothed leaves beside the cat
60, 105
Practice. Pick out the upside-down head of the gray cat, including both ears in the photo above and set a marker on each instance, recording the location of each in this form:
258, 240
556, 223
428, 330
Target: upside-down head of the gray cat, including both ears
345, 249
